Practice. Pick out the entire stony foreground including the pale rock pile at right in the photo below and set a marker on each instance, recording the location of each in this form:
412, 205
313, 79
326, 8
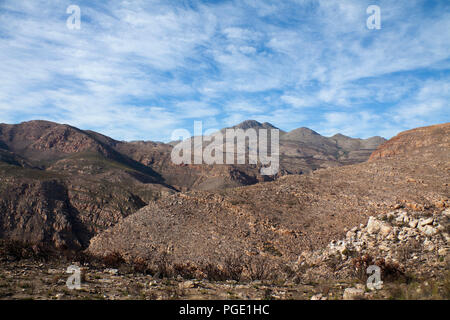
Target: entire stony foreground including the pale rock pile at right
411, 249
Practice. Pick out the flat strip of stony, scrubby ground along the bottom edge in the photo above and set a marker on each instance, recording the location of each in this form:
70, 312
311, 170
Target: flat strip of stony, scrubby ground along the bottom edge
30, 280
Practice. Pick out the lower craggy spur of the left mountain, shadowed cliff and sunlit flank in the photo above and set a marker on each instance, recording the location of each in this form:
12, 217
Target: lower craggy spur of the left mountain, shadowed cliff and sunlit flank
65, 213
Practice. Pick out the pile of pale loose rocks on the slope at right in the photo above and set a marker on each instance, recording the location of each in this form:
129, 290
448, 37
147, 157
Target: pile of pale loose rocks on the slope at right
418, 242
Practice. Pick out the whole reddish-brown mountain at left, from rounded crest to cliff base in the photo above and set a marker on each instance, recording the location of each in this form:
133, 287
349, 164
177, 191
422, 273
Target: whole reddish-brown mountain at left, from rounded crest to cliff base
60, 185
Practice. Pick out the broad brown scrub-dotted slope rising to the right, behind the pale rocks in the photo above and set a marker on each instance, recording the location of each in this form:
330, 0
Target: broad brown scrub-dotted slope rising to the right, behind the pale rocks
277, 221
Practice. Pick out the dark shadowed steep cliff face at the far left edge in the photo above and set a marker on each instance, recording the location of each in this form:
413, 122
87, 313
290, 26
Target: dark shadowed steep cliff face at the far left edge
42, 214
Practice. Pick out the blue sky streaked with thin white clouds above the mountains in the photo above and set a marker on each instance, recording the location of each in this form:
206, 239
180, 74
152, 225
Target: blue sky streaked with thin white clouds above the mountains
137, 70
